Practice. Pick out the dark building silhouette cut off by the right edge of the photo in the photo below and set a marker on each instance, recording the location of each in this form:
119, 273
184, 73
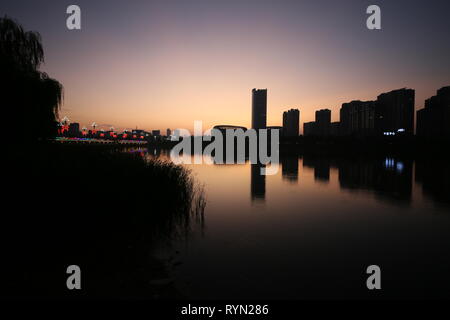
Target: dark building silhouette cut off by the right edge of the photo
434, 119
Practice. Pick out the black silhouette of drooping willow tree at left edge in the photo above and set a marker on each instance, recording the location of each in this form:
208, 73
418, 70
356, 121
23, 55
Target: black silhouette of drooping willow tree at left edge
29, 99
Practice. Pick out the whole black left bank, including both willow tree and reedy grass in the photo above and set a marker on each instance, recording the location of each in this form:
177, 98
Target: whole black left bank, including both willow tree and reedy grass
97, 207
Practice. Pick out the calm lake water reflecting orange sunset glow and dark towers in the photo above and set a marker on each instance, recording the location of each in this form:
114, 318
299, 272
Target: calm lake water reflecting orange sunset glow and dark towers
311, 230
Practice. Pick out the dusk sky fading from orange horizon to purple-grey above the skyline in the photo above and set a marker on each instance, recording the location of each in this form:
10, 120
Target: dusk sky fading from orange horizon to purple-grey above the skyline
163, 64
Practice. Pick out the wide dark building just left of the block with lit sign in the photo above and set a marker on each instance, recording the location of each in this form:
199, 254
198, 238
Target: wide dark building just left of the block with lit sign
357, 118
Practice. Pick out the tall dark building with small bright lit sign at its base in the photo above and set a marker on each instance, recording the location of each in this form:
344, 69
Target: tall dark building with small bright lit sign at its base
394, 112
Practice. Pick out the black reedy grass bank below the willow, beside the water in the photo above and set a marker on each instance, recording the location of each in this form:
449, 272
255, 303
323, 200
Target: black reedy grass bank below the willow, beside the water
96, 207
